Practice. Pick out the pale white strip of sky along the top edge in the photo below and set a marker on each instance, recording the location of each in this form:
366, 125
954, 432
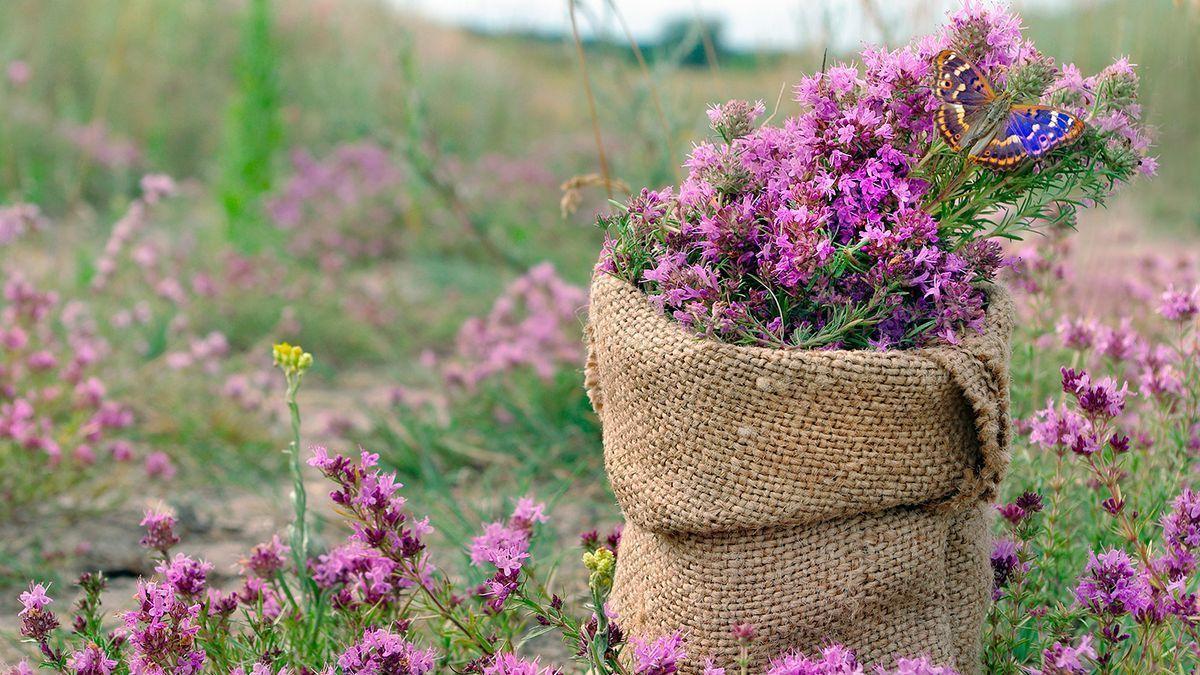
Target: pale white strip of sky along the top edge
749, 25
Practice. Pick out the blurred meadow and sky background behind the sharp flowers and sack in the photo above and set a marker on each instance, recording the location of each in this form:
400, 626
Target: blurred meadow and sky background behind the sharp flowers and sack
407, 189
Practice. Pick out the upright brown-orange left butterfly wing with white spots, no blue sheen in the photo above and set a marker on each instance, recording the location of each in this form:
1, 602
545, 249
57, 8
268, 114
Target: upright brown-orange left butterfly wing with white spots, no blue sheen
965, 94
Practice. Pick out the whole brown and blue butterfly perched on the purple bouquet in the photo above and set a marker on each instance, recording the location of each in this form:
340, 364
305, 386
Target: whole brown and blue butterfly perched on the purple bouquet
993, 132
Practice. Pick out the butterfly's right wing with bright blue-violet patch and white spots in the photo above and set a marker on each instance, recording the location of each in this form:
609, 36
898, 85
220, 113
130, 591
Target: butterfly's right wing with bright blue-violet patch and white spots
1033, 132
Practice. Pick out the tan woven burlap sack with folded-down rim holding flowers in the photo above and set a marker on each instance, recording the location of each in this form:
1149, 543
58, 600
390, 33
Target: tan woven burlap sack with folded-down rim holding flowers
820, 495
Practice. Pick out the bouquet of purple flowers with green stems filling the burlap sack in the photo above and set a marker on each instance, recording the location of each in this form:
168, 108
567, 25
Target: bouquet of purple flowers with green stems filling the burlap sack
873, 219
